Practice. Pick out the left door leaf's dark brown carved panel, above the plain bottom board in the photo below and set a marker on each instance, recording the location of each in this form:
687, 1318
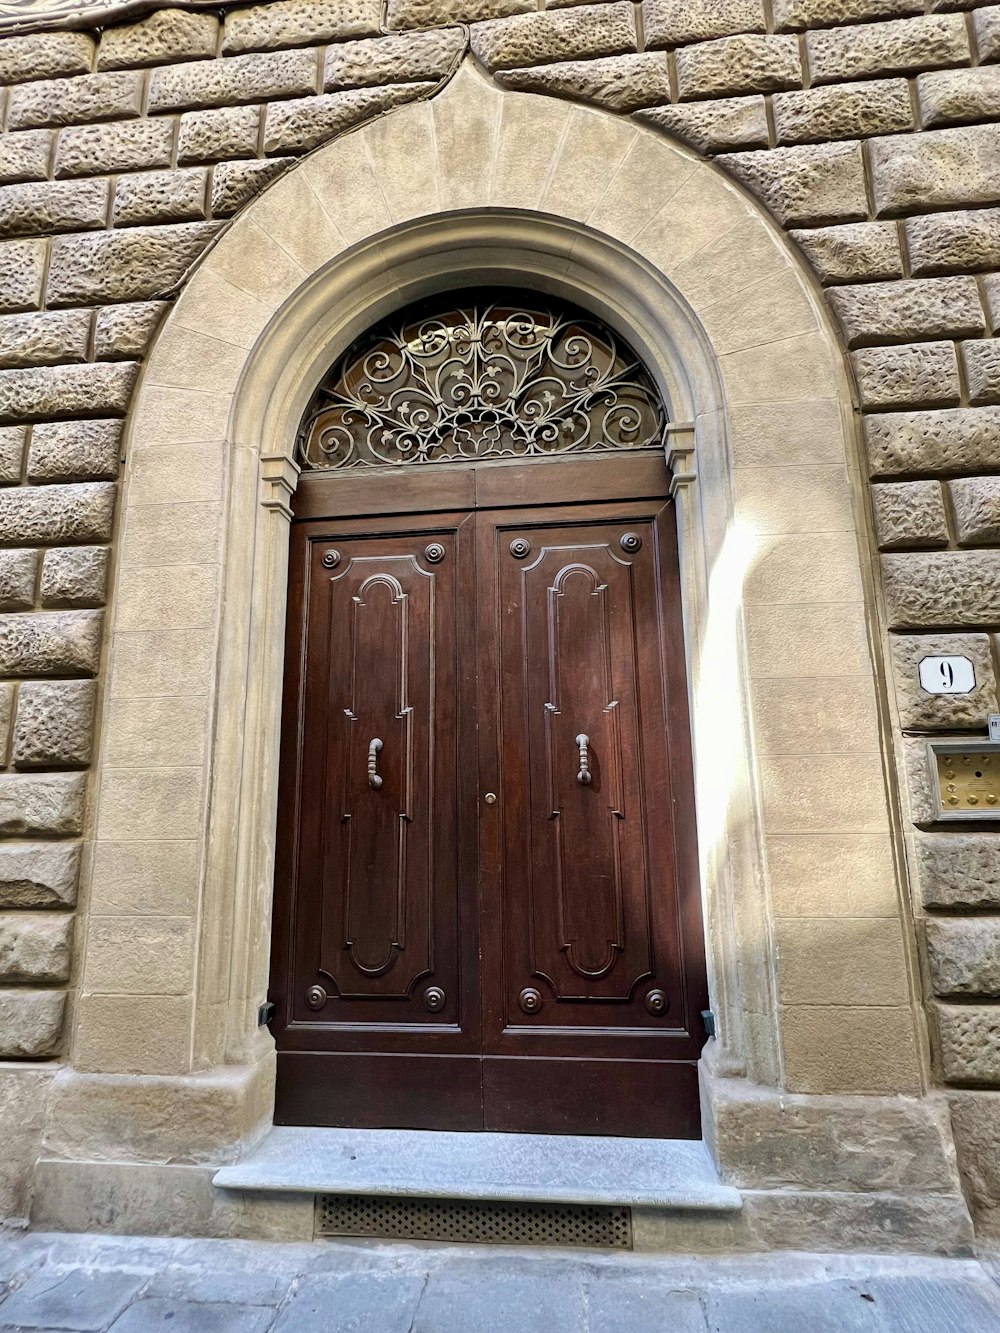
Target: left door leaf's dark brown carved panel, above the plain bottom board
377, 859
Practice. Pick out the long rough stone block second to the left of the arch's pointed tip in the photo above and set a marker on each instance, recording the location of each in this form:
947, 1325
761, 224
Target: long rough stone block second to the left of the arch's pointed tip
217, 83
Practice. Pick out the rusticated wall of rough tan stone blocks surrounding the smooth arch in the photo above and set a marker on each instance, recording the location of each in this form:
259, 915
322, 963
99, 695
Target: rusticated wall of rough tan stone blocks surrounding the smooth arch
869, 129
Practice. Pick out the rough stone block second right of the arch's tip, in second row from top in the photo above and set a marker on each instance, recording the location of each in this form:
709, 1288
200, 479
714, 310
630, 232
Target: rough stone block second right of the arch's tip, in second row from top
738, 65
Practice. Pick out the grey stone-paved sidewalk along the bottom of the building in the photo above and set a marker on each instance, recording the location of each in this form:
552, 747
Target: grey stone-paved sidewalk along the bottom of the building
89, 1284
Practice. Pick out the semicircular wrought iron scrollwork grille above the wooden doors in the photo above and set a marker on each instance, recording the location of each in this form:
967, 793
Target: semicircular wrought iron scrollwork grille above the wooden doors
501, 377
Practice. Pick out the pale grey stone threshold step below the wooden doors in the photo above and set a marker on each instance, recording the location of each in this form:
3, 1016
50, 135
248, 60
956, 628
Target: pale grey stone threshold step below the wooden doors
675, 1174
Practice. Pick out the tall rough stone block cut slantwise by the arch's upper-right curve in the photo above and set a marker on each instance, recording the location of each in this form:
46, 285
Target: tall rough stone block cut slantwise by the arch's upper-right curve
813, 183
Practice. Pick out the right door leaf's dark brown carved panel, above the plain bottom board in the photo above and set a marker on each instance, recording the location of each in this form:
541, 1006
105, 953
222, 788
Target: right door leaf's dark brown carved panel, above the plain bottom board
591, 874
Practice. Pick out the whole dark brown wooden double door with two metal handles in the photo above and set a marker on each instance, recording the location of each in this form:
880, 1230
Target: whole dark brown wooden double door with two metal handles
487, 911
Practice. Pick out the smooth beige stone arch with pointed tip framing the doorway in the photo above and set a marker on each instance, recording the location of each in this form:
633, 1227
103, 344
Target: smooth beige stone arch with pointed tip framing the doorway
477, 186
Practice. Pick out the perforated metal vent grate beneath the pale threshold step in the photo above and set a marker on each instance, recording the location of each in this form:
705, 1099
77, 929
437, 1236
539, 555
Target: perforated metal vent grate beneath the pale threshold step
469, 1222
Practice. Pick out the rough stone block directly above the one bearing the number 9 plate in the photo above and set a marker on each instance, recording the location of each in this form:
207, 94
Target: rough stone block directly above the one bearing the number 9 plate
942, 589
